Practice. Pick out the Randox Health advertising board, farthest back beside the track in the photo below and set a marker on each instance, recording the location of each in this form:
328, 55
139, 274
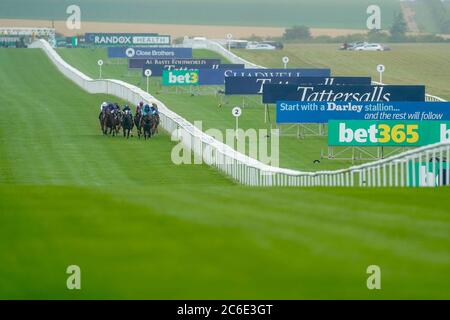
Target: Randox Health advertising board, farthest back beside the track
127, 39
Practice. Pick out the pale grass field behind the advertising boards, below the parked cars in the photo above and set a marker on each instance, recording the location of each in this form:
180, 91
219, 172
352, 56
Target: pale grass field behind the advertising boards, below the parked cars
427, 64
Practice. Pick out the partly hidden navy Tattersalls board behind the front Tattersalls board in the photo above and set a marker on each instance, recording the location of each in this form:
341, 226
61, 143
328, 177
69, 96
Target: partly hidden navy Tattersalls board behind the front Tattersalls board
254, 85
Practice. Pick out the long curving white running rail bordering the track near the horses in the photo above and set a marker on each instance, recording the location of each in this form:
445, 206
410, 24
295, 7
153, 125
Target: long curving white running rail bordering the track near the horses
425, 166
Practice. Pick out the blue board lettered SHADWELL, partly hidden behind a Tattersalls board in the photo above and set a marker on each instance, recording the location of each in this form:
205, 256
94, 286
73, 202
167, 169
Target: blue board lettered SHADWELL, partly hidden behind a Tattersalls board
218, 77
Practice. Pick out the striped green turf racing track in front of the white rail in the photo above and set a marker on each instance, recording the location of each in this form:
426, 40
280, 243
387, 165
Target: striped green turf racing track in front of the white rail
141, 227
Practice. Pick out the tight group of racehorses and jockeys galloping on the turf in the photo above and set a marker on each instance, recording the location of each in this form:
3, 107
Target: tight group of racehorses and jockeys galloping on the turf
113, 119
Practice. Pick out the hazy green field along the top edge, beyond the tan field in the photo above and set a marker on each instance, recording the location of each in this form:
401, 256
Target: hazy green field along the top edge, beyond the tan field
281, 13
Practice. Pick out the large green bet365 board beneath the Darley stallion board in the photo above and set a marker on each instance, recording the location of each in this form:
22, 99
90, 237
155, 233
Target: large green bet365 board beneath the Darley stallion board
387, 133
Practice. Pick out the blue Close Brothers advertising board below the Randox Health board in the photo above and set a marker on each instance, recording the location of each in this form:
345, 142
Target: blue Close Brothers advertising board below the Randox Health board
149, 52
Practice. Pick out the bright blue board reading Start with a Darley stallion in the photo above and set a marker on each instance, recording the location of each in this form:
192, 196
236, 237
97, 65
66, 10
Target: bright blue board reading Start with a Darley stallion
322, 112
